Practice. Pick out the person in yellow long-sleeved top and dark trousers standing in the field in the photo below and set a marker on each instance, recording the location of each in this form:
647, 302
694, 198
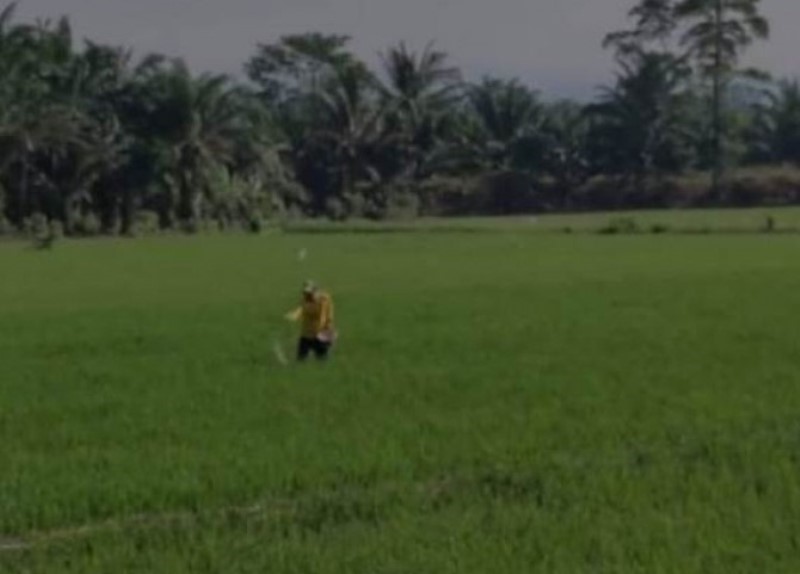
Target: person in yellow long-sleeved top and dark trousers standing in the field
315, 314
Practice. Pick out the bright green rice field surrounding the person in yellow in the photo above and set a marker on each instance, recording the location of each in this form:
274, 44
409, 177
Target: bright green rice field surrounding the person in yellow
504, 402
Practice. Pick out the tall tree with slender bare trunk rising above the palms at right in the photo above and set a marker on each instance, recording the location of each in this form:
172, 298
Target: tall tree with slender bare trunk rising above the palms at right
719, 32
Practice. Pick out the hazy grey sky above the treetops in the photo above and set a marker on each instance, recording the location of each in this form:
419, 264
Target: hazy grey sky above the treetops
552, 44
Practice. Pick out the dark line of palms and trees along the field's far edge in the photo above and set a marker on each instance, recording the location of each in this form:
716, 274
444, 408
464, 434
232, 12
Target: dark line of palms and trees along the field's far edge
95, 140
